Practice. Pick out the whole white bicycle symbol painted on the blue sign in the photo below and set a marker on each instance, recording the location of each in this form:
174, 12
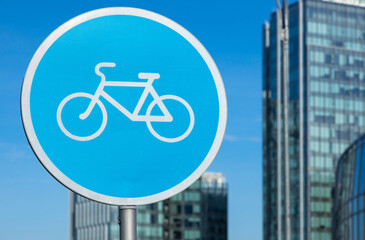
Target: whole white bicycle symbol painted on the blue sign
135, 116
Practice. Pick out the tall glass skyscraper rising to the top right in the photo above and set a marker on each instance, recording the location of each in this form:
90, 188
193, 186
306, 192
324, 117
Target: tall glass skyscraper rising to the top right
311, 118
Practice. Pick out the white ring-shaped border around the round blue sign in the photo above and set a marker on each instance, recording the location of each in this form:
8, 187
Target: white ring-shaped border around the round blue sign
63, 179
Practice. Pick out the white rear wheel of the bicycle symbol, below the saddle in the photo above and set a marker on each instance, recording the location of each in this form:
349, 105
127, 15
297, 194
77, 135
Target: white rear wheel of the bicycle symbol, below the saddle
191, 117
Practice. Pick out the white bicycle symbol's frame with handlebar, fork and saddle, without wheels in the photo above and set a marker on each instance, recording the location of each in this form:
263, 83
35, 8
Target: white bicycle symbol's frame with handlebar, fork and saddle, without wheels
148, 89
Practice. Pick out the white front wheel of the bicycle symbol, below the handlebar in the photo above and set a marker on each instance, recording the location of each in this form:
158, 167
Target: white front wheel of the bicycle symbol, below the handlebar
73, 136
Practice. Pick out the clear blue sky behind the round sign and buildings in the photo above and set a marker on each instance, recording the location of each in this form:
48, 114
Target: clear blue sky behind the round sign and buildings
35, 206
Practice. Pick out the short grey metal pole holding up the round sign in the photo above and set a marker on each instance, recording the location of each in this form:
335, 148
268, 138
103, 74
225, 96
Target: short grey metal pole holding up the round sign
128, 222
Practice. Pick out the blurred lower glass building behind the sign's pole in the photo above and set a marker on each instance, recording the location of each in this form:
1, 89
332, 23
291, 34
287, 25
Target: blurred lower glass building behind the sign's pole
198, 213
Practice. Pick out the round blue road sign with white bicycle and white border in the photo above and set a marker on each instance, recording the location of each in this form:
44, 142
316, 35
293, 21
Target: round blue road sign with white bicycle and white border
124, 106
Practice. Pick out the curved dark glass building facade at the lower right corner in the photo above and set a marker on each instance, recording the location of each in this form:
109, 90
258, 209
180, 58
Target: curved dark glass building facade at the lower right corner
348, 220
